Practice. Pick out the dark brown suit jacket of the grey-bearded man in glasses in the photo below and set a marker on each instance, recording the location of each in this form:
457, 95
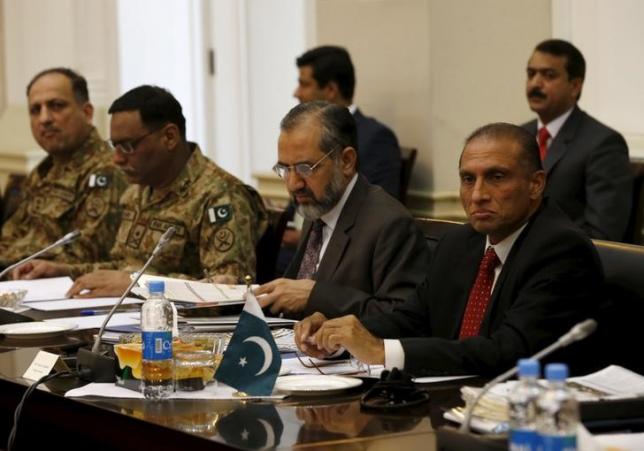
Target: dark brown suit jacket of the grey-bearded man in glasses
375, 257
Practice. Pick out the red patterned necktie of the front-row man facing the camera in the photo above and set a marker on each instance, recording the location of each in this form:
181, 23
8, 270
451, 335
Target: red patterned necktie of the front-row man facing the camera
479, 296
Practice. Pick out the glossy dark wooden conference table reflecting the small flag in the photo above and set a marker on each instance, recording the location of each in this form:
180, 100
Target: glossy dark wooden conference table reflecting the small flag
331, 422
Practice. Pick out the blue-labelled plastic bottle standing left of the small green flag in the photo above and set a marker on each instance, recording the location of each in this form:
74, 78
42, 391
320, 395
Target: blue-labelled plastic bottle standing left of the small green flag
156, 327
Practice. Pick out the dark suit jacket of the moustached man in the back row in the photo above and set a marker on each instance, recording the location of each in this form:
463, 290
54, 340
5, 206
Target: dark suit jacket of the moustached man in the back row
589, 176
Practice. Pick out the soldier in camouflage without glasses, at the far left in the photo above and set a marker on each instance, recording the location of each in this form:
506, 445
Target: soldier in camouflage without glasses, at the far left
75, 187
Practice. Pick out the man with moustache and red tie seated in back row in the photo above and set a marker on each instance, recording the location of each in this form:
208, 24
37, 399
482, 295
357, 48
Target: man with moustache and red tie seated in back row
586, 163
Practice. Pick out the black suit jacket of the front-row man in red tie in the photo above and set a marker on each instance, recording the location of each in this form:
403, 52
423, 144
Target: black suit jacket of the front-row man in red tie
551, 280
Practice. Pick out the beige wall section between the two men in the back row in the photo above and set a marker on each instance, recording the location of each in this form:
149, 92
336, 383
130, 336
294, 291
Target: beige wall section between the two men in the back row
434, 70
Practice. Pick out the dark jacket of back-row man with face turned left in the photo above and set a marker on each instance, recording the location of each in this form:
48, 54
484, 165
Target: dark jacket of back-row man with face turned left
378, 154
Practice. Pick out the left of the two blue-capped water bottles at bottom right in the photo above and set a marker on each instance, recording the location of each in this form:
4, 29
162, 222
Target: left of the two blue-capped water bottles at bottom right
522, 403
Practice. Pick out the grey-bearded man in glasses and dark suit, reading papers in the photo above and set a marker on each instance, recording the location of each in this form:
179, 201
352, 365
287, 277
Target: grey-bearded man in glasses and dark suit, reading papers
358, 242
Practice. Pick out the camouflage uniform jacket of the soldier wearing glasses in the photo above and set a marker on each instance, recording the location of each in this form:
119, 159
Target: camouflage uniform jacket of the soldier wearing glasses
217, 221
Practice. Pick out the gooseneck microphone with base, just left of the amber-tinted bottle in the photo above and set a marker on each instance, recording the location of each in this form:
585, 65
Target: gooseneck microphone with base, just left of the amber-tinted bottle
91, 364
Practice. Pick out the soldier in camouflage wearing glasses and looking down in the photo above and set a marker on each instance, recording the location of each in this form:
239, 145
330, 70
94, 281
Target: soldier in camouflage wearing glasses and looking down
217, 220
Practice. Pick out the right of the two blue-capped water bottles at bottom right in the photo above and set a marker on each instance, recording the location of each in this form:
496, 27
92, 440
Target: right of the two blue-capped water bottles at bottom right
557, 412
